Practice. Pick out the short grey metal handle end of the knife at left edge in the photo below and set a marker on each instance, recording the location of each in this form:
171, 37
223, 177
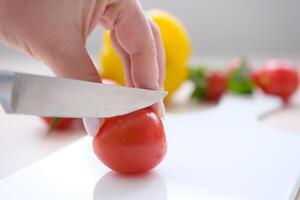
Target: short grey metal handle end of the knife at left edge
6, 89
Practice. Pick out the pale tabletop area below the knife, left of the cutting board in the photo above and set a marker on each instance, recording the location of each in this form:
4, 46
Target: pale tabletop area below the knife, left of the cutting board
25, 139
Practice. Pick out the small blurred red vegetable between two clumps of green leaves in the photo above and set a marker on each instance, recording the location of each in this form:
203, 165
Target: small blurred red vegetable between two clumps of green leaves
216, 86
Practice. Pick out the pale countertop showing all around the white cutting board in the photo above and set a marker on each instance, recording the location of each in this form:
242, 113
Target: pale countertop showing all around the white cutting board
20, 147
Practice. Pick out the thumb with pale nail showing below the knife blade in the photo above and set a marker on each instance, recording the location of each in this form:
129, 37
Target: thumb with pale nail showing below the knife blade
73, 61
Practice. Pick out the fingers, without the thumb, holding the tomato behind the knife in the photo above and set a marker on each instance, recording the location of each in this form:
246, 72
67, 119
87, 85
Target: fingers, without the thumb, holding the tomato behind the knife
138, 44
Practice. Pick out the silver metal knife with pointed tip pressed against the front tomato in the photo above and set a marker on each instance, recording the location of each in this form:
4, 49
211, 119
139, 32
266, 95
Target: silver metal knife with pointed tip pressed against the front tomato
22, 93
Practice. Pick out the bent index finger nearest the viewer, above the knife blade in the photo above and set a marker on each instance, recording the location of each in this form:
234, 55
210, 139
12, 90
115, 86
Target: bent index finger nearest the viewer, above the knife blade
133, 34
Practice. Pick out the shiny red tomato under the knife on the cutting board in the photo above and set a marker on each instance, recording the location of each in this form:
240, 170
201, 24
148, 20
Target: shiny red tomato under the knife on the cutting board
132, 143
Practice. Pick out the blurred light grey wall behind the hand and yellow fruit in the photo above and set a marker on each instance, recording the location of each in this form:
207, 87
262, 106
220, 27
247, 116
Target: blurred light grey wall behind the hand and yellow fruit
222, 29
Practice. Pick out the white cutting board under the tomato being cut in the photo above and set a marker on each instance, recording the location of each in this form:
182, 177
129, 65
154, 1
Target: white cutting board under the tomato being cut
218, 153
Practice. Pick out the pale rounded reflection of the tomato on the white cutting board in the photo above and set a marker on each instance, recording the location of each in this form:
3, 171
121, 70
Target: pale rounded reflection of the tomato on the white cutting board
113, 186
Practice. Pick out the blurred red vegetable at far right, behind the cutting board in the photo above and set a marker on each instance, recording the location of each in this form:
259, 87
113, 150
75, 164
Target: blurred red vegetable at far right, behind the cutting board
278, 78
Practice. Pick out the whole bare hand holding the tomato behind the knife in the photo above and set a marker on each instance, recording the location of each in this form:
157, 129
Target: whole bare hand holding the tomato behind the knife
55, 32
